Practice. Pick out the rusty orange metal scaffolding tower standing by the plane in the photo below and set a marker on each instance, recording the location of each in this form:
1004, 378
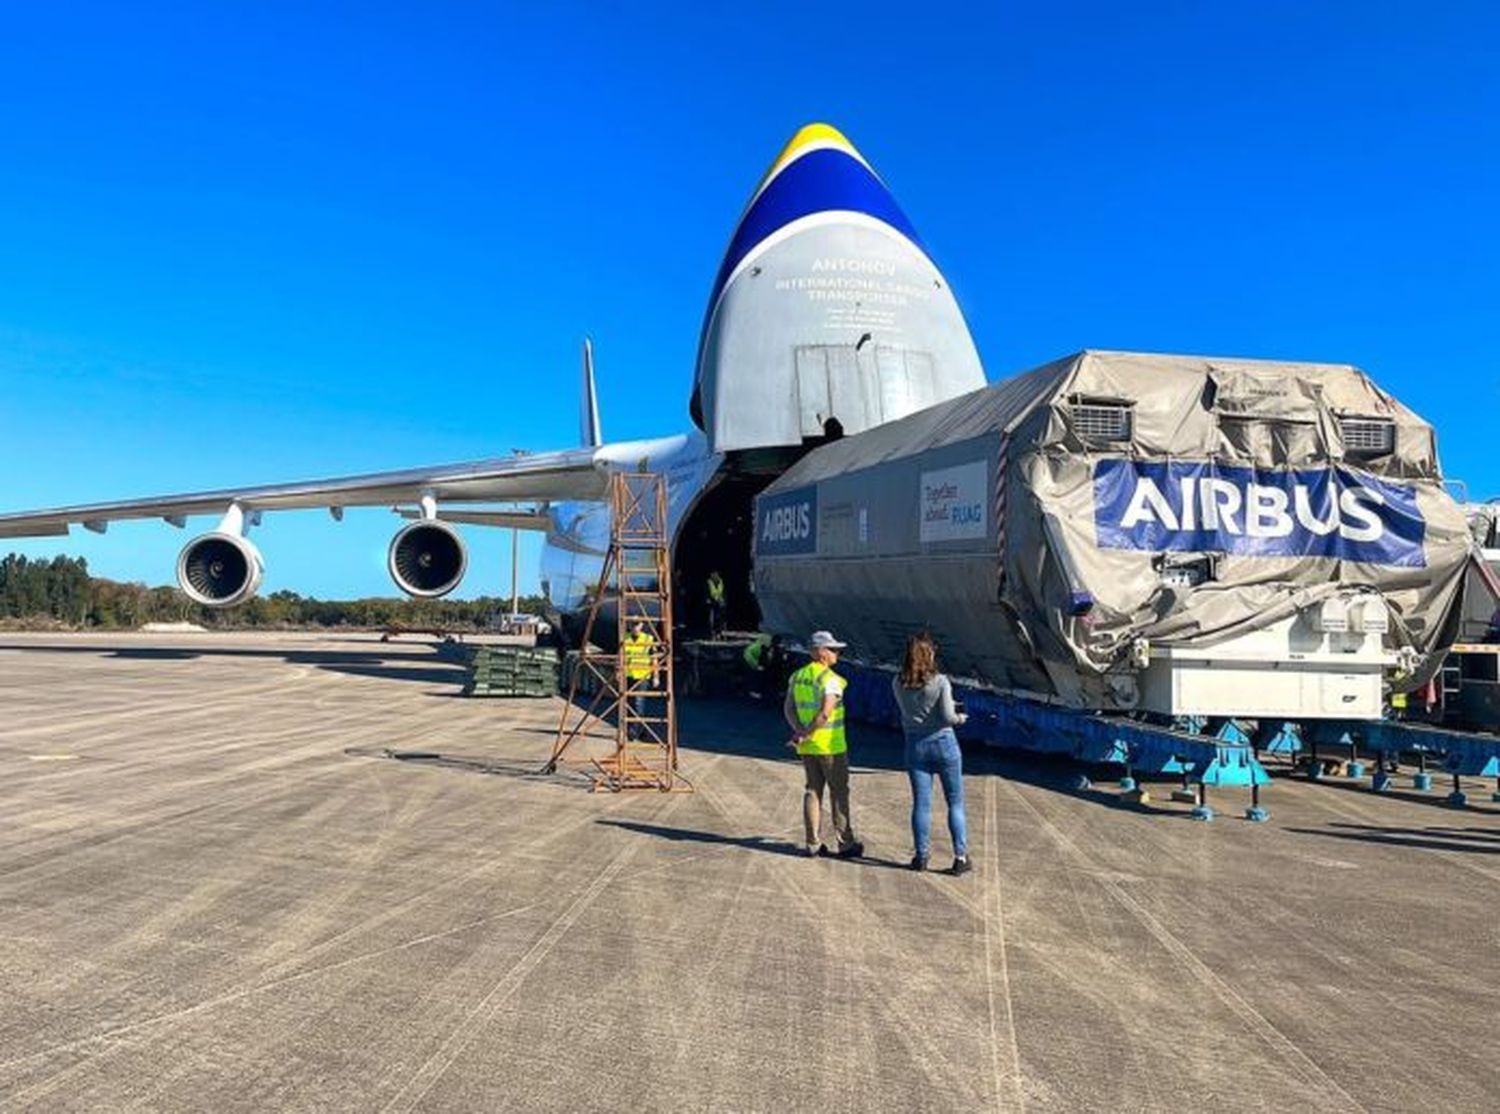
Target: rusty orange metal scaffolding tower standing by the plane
637, 714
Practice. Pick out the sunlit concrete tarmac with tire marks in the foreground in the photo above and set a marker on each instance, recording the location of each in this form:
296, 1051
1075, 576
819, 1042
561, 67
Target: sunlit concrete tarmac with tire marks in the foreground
217, 893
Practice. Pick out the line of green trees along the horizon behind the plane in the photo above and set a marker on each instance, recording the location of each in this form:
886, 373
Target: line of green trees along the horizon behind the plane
59, 593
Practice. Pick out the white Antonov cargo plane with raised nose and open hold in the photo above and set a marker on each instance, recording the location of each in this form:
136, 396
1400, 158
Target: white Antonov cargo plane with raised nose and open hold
827, 317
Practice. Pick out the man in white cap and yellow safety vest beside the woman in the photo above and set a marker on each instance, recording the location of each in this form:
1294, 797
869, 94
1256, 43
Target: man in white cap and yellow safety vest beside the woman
817, 713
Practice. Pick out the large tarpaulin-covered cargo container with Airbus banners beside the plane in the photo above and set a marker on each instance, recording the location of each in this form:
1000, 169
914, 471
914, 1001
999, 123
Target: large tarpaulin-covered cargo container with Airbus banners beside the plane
1043, 524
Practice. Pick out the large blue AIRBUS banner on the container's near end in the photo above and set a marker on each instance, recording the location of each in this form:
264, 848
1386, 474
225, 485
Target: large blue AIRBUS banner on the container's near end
1204, 508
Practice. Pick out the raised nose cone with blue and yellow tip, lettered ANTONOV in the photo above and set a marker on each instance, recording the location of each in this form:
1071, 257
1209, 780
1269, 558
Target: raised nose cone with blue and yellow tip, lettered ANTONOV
827, 311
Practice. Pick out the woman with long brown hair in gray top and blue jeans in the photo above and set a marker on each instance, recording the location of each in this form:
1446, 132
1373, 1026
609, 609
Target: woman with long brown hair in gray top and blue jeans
928, 720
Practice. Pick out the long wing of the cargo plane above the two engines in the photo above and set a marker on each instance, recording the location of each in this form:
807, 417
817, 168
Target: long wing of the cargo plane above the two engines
569, 475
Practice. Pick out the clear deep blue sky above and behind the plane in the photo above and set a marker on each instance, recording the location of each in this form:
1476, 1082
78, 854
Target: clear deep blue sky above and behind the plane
244, 244
